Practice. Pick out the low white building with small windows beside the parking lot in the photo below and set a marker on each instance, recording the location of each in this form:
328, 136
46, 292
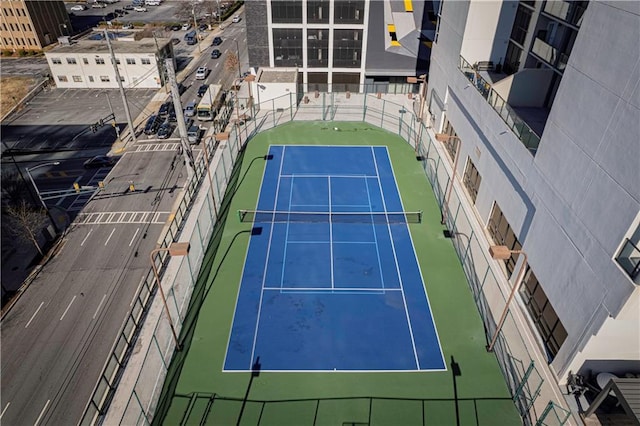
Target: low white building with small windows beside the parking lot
87, 63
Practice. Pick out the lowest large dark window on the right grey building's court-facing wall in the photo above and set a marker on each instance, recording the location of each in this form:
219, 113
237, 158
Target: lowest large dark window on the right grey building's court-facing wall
543, 315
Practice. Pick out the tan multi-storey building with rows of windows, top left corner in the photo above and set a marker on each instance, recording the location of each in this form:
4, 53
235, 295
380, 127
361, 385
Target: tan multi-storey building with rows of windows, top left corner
32, 25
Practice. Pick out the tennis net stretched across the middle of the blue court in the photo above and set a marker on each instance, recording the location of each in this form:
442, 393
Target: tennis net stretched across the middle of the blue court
268, 216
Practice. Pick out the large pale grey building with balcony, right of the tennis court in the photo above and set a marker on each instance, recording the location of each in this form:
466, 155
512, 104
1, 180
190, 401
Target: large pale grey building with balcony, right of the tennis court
544, 100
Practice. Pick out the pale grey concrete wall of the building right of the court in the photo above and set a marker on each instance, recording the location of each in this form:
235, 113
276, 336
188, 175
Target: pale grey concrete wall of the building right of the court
573, 203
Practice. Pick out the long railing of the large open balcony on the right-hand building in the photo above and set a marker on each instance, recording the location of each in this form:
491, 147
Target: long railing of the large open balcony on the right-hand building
517, 125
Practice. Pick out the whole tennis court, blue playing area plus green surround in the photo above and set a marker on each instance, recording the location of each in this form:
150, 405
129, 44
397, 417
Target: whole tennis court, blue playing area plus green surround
332, 296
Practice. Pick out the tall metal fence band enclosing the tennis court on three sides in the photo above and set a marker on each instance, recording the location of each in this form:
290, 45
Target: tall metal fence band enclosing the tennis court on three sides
531, 394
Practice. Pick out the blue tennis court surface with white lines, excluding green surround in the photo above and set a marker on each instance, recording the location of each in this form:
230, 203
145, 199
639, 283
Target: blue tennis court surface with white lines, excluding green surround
344, 293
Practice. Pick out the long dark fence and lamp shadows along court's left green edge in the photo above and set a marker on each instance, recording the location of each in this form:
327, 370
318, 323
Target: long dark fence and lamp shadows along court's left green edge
204, 284
